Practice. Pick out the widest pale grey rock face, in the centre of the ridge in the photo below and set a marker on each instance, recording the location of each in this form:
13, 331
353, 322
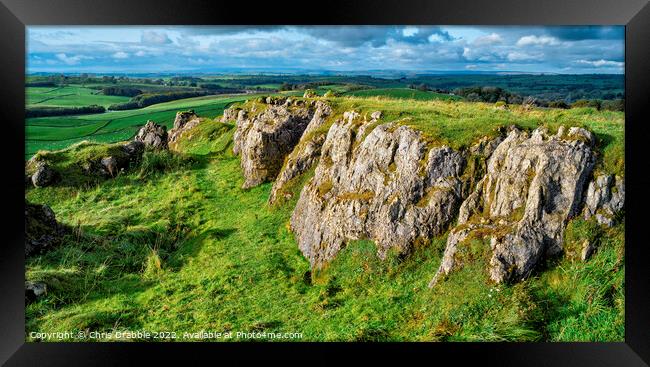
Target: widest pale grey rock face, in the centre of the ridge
385, 185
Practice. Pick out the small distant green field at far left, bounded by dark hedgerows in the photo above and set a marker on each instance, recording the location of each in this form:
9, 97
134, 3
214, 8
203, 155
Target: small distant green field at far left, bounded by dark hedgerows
68, 96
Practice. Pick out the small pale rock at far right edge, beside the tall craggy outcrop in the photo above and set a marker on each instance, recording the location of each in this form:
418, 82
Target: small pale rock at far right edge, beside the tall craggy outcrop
605, 199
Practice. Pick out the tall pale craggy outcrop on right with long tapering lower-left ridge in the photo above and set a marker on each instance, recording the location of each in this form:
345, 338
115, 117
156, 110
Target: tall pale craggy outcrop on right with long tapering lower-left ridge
533, 185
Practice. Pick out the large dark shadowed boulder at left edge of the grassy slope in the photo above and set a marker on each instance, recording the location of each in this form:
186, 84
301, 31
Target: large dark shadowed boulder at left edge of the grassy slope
42, 231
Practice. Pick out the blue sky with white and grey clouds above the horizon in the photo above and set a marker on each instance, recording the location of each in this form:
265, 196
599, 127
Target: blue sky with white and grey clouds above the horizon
567, 49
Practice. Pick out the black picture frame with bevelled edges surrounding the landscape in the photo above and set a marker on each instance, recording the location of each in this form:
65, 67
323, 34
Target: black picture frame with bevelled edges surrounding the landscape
634, 14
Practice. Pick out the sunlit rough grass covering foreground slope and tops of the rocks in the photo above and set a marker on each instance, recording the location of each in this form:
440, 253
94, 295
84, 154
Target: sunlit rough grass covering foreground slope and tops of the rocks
177, 245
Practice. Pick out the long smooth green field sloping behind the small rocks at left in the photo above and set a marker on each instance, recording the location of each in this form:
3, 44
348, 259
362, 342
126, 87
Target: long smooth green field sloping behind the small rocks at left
52, 133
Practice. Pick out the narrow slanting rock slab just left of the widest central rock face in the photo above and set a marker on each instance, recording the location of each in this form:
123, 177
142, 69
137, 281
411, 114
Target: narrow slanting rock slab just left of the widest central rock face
305, 154
